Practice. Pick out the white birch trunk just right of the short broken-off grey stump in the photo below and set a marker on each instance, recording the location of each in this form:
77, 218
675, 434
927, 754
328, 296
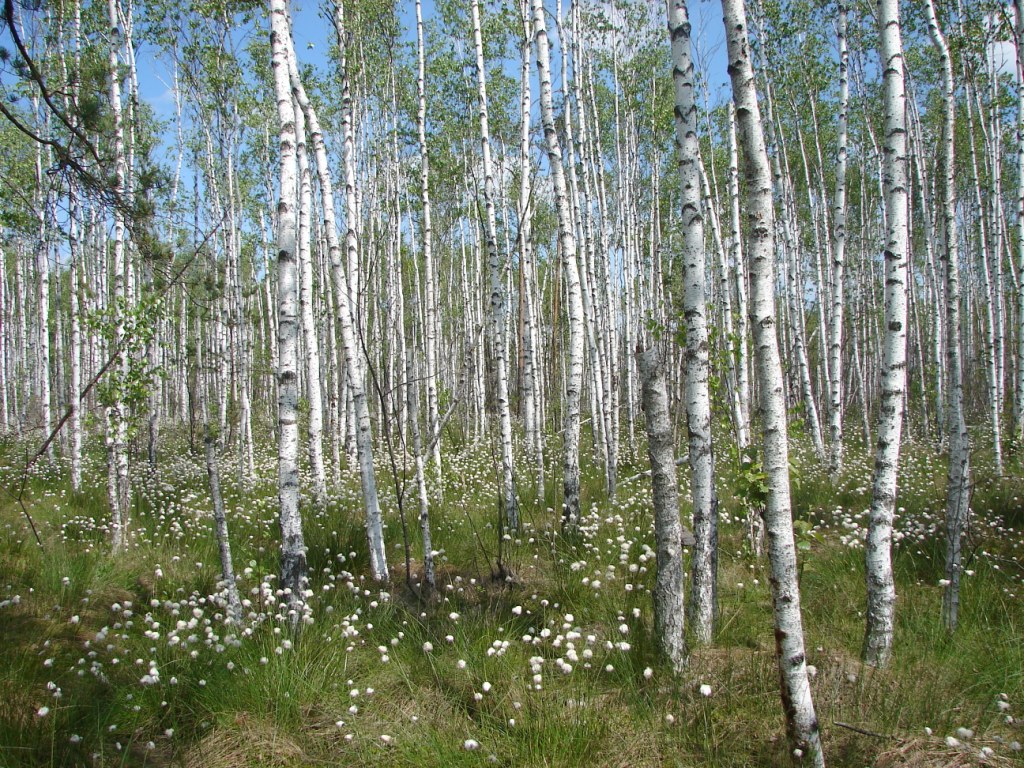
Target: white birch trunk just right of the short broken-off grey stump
697, 367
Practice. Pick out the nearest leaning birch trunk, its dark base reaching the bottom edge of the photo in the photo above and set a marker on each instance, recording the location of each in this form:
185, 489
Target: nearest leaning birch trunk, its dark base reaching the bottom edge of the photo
802, 723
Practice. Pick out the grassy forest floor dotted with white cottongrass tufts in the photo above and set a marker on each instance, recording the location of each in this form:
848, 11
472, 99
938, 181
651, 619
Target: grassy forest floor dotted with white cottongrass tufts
129, 661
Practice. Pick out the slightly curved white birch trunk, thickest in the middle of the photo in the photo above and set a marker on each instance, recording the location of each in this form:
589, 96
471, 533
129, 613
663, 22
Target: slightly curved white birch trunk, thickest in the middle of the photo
568, 244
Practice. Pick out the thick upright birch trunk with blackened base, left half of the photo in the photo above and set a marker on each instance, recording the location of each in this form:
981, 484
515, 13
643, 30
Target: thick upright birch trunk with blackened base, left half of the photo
293, 556
